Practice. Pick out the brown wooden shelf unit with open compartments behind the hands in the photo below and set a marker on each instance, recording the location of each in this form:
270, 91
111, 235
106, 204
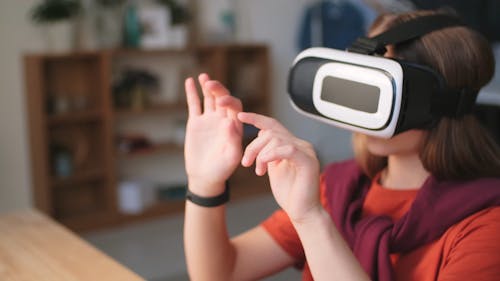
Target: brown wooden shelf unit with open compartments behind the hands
72, 126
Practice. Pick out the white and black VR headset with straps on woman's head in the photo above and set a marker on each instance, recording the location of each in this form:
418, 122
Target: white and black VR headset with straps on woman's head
362, 91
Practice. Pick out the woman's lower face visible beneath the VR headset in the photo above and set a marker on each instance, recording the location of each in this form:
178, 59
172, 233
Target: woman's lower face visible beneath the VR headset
406, 143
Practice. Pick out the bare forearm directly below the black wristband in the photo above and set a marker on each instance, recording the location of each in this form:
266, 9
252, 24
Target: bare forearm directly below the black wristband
209, 254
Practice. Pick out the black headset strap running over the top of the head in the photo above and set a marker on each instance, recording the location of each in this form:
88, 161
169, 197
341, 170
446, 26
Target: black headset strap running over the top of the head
403, 32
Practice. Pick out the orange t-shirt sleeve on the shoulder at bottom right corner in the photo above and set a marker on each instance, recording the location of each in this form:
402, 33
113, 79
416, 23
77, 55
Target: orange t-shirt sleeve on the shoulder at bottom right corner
475, 251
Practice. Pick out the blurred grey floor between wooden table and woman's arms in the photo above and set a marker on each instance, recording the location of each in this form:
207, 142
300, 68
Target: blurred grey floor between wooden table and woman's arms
154, 249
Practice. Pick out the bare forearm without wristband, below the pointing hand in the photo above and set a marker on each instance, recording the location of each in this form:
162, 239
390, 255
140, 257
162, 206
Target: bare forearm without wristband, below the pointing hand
328, 255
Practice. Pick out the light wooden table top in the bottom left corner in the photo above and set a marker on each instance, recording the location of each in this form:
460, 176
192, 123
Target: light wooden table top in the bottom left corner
34, 247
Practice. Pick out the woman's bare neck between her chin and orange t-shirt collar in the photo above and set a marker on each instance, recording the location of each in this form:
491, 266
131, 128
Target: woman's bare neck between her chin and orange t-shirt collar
404, 172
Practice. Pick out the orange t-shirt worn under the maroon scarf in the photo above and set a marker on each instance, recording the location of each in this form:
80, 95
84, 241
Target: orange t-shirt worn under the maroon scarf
468, 250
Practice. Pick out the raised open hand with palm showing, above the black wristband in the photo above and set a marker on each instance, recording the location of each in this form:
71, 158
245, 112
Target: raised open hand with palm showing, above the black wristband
212, 148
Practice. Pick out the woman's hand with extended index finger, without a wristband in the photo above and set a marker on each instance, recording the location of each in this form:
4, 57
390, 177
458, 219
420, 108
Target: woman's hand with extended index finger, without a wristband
290, 162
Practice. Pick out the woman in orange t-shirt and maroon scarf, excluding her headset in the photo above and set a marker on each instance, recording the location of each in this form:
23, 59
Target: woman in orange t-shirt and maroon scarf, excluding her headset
423, 204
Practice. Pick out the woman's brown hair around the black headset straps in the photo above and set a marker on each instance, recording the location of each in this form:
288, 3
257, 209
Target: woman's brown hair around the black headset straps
453, 149
